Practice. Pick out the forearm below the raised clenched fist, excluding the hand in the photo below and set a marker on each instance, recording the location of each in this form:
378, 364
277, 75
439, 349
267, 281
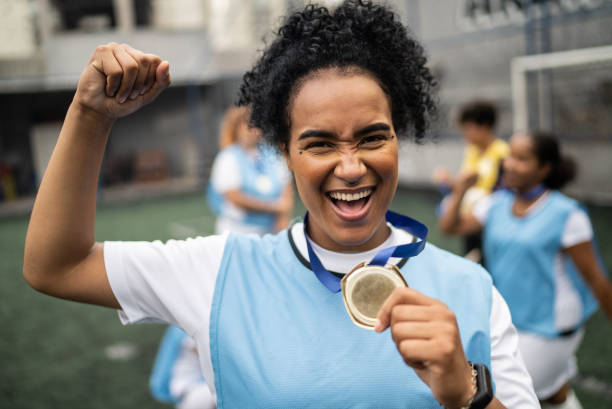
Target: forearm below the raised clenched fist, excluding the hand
61, 229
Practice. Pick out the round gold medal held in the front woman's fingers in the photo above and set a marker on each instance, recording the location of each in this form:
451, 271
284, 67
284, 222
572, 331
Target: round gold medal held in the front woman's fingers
365, 289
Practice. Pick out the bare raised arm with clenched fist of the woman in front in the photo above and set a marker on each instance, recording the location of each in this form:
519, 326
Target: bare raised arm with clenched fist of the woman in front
61, 256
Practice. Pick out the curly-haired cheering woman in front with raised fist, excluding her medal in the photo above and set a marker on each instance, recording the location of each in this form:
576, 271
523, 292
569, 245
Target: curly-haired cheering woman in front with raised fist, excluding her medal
333, 92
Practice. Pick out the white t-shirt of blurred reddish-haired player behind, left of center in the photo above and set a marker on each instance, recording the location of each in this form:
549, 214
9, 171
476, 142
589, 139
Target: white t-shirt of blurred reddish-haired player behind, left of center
225, 176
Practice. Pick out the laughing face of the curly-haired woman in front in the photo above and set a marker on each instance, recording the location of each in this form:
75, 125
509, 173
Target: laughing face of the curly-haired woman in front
343, 152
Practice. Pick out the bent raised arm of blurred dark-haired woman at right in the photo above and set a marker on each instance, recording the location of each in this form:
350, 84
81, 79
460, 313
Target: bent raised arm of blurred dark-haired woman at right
452, 220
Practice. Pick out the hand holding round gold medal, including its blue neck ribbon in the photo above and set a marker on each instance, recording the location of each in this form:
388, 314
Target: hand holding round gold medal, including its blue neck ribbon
425, 332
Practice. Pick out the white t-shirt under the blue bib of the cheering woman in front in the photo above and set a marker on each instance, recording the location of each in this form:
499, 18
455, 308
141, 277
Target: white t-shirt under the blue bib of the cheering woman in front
174, 282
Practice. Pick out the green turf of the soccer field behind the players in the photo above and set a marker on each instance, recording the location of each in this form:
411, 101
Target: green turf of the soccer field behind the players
58, 354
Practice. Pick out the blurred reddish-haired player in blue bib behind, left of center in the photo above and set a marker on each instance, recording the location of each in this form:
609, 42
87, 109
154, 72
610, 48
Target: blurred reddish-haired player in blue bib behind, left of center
250, 189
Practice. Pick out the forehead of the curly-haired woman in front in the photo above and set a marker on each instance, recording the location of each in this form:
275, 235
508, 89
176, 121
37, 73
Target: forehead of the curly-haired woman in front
338, 102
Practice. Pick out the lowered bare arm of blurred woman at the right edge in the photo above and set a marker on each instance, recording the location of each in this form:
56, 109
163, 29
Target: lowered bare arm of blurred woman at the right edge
583, 256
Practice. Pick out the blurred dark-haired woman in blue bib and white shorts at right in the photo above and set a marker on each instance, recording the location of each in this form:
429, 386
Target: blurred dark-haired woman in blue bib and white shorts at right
538, 244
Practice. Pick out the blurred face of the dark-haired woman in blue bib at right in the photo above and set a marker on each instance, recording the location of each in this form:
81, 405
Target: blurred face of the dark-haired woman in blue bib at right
522, 170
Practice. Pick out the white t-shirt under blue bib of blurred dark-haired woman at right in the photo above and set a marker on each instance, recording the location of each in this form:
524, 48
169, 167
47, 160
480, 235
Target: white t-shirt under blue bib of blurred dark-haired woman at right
577, 229
